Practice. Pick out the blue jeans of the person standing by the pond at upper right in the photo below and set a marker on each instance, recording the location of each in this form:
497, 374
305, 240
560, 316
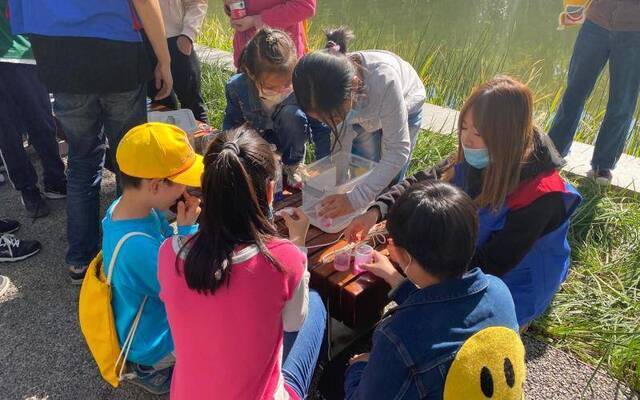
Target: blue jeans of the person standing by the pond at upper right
593, 48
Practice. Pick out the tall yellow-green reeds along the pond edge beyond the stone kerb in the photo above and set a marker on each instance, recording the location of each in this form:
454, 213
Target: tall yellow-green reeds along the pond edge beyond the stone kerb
450, 73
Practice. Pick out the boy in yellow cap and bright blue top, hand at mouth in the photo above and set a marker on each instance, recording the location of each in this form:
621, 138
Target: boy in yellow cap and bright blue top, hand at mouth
157, 163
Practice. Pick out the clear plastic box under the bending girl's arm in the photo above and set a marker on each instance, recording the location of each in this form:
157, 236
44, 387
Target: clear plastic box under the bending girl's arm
335, 174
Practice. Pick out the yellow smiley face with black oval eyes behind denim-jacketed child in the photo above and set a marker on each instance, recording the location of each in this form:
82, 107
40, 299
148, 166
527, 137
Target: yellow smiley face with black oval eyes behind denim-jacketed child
489, 366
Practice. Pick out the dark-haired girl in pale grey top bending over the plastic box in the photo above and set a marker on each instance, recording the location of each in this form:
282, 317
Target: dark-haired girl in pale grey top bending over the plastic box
372, 100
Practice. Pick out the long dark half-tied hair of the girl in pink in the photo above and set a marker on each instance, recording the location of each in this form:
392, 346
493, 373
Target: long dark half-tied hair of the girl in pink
239, 164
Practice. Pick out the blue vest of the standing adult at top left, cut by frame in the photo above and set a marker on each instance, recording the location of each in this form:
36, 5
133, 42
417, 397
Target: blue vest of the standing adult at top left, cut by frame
102, 19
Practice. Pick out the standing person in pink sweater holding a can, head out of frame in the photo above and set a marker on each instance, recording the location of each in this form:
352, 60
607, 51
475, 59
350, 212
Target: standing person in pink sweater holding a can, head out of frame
288, 15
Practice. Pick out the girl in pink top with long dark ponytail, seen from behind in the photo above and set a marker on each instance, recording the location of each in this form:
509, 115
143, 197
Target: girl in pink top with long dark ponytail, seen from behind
234, 291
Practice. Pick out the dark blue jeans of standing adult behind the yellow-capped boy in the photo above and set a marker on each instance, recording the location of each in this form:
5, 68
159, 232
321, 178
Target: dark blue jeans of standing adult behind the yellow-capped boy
89, 121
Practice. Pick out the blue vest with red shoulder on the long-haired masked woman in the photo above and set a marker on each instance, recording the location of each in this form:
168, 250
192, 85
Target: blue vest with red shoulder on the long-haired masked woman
537, 278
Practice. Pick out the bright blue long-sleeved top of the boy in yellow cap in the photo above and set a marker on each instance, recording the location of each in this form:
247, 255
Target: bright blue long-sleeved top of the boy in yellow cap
135, 275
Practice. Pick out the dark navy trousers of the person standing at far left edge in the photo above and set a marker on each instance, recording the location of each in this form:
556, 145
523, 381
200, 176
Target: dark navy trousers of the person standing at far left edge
25, 108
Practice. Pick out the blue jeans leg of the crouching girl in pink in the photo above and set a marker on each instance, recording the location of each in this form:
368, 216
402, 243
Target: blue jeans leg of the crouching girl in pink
302, 349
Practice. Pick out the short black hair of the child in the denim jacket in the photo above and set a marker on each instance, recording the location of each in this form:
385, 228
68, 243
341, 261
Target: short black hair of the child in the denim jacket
437, 224
